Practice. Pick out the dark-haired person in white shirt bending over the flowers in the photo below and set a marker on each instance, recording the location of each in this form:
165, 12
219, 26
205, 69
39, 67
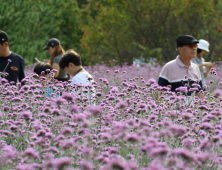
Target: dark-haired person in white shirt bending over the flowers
71, 63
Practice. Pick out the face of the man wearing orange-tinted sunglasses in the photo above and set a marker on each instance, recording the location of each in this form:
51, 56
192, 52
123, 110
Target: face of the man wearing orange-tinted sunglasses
189, 51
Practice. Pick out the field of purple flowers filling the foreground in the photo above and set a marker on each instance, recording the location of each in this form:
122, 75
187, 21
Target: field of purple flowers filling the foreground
123, 129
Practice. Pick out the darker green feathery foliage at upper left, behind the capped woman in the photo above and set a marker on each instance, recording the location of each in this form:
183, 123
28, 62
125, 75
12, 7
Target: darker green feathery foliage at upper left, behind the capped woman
30, 24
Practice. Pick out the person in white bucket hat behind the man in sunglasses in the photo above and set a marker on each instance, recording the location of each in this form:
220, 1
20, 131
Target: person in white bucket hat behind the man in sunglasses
202, 48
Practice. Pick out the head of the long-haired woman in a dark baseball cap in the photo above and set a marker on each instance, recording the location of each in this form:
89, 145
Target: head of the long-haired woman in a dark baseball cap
54, 47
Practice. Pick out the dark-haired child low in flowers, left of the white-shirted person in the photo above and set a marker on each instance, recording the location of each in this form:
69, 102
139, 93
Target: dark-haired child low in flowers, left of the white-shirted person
45, 75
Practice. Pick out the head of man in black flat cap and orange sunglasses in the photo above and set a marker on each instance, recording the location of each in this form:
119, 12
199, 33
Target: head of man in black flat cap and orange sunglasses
187, 46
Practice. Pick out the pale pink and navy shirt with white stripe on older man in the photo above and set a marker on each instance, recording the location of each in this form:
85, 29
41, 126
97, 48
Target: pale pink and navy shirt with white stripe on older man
174, 72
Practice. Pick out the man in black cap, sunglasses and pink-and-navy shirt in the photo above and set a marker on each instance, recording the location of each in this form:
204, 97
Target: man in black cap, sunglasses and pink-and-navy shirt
181, 72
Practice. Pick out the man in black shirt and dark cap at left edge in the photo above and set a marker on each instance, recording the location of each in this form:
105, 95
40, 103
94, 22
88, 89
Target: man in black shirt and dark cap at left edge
10, 62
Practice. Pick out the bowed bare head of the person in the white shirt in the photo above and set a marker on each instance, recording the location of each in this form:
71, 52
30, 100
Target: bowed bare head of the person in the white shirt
70, 62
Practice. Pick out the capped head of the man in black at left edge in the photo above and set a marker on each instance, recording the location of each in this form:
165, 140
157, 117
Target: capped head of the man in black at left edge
4, 45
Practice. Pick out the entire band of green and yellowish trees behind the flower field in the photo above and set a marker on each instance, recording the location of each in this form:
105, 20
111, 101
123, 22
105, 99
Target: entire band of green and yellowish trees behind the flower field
103, 30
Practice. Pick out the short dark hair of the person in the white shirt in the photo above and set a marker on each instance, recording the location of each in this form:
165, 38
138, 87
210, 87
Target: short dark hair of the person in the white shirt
70, 57
